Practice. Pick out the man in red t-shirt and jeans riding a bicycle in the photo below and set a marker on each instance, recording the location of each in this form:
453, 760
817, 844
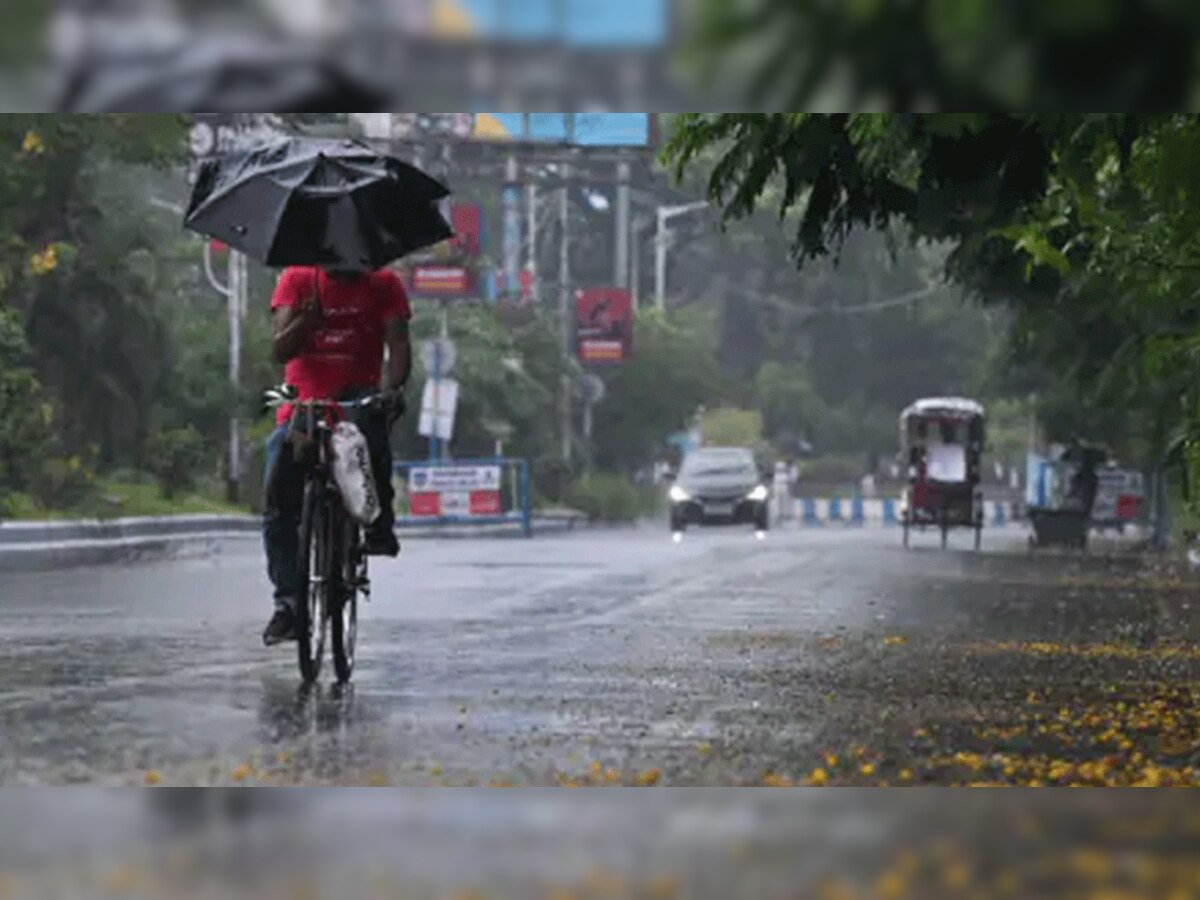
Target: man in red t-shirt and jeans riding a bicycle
331, 329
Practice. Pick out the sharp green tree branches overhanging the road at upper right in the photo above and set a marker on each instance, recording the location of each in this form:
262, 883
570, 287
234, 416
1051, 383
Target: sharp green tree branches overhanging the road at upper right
1039, 211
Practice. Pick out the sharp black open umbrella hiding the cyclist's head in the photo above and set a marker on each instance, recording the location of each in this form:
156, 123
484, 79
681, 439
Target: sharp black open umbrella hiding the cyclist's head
329, 203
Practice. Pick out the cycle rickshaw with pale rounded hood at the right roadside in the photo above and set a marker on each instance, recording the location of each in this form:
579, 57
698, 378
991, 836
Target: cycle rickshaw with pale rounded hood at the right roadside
943, 441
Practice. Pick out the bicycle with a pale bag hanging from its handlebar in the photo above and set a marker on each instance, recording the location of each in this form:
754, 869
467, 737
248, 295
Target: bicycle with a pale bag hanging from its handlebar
332, 560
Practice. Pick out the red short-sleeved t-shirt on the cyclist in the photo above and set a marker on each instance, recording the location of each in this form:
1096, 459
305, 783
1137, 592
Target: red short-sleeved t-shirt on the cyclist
347, 351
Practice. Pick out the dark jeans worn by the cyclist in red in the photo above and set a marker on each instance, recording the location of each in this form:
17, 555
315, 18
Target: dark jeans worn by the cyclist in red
285, 499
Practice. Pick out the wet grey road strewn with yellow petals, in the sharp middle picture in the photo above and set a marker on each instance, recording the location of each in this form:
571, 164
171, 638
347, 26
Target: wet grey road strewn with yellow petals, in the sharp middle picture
611, 657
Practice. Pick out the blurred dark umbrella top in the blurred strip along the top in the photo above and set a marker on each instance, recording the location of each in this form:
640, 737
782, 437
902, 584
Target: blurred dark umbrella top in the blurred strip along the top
219, 74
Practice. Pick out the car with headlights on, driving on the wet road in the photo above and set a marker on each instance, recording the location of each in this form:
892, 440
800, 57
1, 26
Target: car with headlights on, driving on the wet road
719, 485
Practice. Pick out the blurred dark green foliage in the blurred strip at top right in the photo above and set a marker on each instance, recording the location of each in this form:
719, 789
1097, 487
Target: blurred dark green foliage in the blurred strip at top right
950, 55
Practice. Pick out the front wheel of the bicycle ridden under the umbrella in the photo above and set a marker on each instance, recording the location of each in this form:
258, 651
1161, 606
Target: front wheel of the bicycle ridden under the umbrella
314, 562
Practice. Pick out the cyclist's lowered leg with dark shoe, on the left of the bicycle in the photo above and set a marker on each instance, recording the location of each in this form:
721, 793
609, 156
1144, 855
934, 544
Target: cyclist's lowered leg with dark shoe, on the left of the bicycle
281, 532
